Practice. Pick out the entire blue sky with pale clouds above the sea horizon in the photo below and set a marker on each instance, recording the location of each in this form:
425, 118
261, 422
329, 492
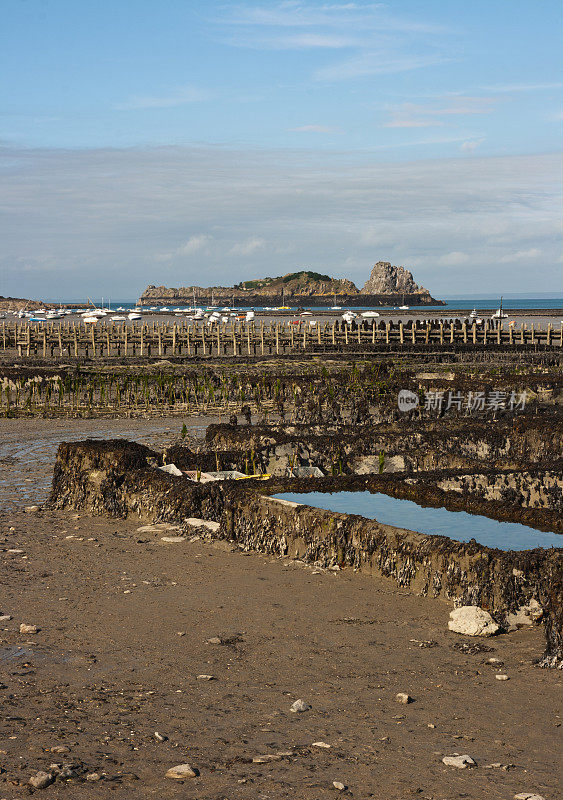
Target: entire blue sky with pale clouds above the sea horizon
181, 141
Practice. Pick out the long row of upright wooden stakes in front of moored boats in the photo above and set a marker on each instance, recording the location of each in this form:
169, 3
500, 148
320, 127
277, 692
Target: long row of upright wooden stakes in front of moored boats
236, 339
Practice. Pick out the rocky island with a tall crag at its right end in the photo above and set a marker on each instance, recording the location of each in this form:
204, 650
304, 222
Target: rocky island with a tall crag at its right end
387, 285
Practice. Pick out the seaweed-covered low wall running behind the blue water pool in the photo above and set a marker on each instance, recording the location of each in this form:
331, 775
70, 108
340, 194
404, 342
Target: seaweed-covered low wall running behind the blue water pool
401, 446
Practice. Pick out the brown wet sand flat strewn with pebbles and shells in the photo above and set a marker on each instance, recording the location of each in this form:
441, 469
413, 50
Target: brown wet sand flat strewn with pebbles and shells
124, 621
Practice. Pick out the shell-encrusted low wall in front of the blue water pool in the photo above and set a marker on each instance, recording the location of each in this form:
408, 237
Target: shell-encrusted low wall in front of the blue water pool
118, 478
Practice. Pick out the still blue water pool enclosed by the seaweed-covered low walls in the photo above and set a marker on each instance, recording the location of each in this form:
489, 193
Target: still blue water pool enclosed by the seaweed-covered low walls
458, 525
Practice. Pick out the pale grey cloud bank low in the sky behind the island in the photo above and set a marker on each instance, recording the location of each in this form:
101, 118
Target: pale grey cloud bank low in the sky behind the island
108, 222
